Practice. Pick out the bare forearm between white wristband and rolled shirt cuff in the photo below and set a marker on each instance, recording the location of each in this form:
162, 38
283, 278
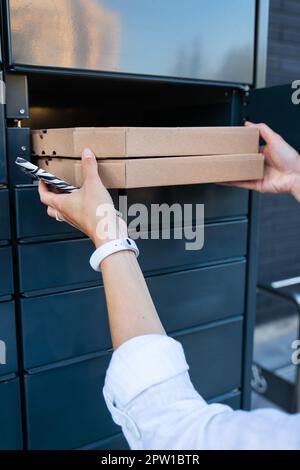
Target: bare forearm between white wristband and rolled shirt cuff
130, 307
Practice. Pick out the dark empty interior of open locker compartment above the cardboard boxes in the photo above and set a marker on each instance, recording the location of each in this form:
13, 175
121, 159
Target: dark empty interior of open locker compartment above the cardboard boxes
57, 100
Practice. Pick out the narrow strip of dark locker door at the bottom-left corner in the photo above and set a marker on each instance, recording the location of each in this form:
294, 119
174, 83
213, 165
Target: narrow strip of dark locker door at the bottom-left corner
10, 415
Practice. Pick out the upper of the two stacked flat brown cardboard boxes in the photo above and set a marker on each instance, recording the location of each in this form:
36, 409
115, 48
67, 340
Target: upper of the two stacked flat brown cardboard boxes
129, 142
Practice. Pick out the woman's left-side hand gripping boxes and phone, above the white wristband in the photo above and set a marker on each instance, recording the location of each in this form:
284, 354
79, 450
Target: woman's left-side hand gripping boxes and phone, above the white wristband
90, 209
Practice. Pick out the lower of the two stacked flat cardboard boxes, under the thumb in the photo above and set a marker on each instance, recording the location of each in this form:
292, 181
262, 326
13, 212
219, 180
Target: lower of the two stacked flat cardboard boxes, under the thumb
166, 171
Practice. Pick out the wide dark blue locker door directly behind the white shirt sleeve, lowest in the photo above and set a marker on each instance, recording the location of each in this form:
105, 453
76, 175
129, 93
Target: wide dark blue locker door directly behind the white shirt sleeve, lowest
65, 406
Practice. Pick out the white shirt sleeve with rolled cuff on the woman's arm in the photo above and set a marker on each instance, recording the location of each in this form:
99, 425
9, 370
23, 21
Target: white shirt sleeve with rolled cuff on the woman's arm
149, 394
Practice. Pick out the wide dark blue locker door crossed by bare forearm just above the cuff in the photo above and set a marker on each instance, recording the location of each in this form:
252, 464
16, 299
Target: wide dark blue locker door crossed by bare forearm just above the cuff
70, 324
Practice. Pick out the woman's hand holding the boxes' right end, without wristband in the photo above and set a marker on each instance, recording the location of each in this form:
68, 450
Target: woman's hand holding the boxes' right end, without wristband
282, 165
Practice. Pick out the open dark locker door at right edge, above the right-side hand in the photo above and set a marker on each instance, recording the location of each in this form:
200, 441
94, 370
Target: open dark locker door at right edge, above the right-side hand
275, 107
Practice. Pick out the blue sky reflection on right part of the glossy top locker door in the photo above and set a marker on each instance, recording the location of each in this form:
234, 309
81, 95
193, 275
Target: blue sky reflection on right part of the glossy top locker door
186, 37
